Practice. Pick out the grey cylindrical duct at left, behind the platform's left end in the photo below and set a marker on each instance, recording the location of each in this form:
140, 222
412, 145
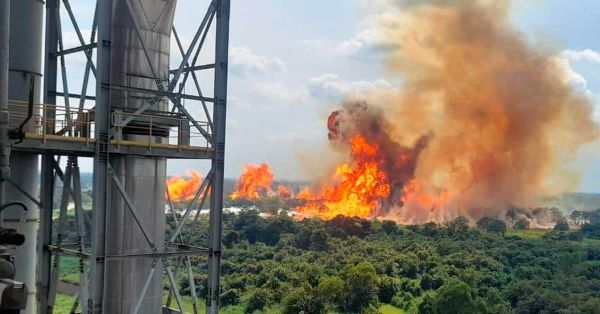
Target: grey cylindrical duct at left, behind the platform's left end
26, 30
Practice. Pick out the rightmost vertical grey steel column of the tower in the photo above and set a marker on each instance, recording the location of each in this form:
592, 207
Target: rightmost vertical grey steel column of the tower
218, 162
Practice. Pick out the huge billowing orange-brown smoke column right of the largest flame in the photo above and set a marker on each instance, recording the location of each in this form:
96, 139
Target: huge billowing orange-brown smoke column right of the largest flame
490, 120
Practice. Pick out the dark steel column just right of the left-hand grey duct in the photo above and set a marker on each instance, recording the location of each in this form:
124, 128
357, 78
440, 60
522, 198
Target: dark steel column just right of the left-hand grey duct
47, 176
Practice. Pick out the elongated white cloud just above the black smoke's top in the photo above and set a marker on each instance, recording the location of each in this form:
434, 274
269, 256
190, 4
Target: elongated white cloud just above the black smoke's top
331, 86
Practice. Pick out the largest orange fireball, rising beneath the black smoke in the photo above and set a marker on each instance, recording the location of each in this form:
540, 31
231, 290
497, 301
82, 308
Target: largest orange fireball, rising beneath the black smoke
357, 189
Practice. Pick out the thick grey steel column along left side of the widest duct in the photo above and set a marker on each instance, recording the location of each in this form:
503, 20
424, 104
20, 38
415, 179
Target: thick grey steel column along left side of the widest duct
101, 184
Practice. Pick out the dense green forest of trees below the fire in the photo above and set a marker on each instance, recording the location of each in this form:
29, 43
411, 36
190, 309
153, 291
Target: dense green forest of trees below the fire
350, 265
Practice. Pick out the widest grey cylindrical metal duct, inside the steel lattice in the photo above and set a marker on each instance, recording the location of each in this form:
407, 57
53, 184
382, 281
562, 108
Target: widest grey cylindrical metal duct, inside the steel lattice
143, 177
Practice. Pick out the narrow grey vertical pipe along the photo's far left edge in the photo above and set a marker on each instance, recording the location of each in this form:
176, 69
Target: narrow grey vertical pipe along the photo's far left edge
4, 116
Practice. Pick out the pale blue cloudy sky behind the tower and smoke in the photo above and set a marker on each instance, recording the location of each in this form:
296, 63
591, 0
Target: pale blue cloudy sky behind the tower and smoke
292, 61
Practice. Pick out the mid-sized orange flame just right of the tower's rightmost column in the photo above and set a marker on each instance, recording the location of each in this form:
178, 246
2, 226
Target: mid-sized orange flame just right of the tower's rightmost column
254, 182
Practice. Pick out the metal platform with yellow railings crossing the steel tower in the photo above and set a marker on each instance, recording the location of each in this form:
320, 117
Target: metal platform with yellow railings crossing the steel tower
72, 133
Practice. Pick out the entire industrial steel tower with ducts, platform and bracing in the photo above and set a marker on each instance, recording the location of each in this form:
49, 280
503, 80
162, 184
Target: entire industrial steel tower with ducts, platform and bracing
139, 115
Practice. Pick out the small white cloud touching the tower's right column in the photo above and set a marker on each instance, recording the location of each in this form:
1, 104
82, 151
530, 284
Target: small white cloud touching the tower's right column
243, 61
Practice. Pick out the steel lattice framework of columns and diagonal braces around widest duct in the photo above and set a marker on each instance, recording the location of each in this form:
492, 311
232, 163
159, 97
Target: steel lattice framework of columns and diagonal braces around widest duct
91, 127
